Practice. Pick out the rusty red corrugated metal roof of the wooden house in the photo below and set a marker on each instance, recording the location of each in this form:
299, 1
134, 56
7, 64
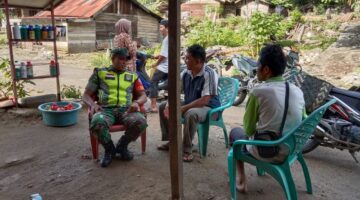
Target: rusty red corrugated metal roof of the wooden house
84, 9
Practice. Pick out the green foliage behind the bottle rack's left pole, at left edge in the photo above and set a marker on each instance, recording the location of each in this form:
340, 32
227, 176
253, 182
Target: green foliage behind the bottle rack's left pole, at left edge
6, 81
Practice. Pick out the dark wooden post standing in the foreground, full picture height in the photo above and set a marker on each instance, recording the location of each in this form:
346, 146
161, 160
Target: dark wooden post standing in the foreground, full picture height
176, 168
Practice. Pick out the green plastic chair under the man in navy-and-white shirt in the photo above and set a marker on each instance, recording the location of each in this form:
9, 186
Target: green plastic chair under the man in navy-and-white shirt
228, 90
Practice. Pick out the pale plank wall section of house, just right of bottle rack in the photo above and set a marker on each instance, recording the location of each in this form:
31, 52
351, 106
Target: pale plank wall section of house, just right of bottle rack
81, 37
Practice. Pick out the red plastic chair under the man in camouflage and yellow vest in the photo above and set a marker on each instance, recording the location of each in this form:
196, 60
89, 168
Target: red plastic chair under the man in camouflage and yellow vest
114, 128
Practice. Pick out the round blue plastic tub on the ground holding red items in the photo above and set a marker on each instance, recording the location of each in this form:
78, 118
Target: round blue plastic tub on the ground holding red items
60, 118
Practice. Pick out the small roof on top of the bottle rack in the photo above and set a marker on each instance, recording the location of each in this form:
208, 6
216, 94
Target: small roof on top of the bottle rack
36, 4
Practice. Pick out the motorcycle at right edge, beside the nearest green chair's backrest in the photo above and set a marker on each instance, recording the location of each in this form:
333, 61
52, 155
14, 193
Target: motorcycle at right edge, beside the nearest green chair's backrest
340, 126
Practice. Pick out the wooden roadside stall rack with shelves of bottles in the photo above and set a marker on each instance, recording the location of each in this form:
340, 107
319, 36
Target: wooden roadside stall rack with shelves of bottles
31, 34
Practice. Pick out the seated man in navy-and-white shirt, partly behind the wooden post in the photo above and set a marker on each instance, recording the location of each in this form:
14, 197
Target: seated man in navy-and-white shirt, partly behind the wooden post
199, 84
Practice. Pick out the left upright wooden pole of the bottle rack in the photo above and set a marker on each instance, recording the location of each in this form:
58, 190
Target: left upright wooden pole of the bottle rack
11, 53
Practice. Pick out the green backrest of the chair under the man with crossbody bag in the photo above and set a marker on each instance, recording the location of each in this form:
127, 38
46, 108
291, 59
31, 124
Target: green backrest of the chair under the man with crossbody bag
301, 134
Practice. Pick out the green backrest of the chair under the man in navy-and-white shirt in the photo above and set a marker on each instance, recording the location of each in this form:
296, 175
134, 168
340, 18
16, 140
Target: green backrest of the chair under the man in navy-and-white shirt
228, 89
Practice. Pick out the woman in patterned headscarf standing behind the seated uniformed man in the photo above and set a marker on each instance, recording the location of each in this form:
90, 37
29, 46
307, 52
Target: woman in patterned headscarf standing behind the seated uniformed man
123, 39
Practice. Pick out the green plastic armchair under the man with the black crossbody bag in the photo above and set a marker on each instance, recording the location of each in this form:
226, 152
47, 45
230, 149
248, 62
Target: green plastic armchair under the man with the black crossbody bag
294, 140
